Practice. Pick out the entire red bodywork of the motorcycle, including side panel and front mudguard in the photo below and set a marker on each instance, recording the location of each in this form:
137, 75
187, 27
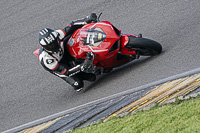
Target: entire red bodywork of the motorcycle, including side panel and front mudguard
104, 40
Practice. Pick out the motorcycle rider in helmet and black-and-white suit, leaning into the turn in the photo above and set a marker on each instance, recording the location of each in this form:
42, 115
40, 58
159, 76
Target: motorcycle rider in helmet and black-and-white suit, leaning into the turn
55, 58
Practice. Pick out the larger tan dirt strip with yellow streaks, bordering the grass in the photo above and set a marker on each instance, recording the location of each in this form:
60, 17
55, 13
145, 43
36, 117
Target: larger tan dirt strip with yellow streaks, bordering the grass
162, 93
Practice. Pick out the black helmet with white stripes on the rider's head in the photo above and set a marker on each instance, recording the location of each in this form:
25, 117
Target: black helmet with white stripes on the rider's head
48, 39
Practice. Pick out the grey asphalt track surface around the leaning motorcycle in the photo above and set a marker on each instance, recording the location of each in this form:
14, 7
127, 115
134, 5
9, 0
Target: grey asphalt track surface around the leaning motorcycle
28, 92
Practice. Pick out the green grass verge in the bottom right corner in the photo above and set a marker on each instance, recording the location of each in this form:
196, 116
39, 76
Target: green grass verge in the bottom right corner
184, 117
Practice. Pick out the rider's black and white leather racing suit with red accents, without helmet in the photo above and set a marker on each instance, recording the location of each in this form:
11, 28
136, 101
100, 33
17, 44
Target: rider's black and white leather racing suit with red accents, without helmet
62, 63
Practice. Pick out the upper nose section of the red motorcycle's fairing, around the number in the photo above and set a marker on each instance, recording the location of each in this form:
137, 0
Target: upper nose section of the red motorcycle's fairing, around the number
76, 44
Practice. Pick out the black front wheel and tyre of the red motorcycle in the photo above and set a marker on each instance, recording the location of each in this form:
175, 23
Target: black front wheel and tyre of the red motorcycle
144, 46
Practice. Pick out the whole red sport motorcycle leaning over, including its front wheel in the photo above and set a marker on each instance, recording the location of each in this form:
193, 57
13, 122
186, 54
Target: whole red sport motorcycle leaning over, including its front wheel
108, 47
